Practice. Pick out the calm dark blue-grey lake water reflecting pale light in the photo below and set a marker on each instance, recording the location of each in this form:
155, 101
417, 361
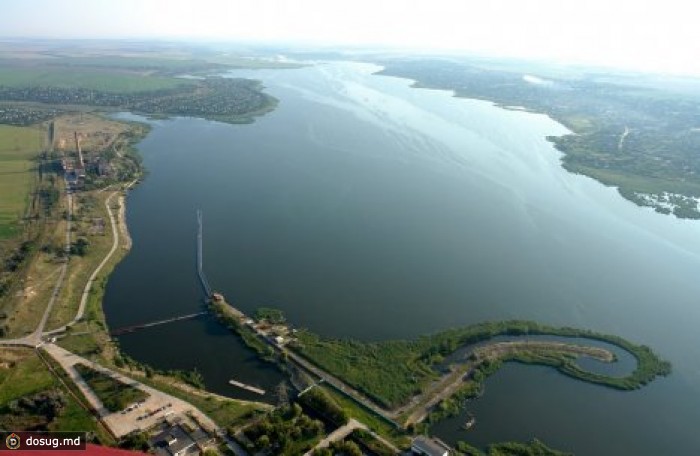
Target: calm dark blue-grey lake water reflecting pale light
368, 209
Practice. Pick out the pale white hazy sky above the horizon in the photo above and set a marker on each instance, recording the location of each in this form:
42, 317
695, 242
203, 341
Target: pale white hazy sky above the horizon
648, 35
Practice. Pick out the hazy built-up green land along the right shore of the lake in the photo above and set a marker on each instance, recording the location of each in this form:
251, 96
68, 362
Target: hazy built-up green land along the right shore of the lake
628, 131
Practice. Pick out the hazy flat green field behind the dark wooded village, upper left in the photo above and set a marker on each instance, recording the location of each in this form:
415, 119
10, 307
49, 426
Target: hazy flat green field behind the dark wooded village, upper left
84, 78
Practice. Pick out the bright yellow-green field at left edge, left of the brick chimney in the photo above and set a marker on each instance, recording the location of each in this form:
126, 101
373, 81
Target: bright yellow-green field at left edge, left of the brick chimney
18, 146
